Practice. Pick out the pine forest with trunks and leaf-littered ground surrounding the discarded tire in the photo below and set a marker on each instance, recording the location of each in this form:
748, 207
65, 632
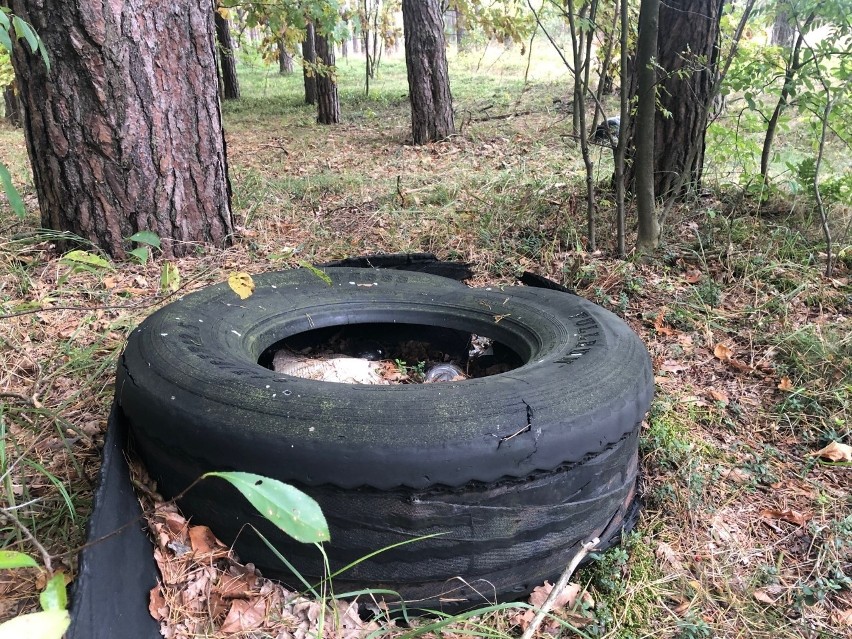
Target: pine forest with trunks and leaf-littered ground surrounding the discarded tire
152, 153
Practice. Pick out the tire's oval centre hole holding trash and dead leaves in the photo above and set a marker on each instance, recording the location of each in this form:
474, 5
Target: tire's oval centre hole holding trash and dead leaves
390, 354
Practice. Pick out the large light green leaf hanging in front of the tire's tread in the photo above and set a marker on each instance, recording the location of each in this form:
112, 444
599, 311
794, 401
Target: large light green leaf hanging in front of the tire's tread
287, 507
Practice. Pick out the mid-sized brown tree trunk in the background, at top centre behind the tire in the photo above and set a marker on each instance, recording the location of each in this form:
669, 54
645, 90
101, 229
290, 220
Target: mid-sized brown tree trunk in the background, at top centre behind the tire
428, 76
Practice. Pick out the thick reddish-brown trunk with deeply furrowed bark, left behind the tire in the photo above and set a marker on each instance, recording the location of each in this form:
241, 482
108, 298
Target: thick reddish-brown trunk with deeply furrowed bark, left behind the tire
124, 132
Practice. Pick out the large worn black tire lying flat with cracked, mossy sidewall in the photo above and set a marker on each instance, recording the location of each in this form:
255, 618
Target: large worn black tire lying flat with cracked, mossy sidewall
515, 470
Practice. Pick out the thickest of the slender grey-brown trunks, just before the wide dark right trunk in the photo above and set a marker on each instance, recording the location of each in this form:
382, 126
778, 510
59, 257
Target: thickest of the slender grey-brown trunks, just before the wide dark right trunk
649, 229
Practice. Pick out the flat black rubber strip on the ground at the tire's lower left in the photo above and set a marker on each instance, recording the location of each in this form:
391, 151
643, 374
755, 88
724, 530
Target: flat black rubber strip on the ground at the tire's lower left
109, 598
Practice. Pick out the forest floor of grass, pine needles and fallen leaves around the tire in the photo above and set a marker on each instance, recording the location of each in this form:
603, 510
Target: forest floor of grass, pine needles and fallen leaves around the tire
744, 532
